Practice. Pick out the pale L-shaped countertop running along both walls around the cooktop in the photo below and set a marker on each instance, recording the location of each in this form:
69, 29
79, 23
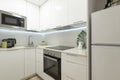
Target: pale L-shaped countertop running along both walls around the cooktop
73, 51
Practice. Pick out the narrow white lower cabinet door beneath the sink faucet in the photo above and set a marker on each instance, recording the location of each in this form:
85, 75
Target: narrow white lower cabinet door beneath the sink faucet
29, 62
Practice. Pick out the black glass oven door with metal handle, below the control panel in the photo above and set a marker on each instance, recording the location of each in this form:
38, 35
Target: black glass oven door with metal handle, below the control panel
52, 66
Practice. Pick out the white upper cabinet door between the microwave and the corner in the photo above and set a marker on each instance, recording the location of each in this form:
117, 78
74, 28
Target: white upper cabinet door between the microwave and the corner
32, 17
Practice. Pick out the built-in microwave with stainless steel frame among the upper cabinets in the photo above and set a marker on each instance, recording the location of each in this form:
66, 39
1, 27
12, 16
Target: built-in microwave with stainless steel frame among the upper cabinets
8, 19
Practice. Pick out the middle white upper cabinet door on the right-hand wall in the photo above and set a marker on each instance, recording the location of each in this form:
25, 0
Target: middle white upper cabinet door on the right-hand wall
60, 13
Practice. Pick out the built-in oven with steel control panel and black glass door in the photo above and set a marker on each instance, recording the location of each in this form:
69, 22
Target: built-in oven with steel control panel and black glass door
52, 64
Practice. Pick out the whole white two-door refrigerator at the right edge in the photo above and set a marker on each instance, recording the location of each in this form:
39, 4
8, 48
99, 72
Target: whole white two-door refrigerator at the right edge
105, 44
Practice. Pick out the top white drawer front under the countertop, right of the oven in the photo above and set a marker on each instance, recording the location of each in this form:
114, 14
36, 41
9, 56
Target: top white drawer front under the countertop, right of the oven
75, 58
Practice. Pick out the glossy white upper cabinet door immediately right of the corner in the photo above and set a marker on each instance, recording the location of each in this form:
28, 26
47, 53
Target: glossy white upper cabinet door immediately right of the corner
46, 15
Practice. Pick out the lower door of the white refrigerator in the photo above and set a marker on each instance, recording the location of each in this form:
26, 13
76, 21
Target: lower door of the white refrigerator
105, 63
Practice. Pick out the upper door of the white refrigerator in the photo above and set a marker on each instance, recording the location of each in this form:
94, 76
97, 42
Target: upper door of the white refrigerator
106, 26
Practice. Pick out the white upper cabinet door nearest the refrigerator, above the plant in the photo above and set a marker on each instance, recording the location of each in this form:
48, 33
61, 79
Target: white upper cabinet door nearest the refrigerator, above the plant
77, 11
